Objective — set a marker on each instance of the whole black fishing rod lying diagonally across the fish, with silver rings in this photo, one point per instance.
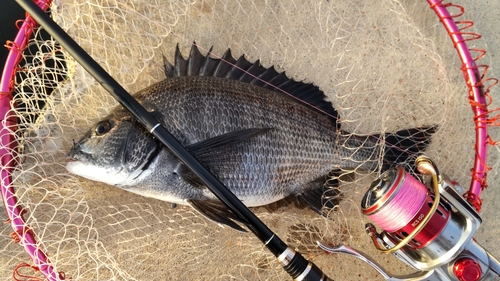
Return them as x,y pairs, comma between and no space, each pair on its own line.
293,262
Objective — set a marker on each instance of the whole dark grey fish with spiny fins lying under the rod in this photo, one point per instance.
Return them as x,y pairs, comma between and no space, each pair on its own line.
263,135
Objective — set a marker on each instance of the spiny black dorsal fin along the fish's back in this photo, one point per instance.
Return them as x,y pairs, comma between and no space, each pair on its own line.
244,71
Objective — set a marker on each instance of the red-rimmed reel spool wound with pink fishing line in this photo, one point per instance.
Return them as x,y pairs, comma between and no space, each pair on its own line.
398,203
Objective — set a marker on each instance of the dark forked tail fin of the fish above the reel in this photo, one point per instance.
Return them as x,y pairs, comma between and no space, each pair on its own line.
404,145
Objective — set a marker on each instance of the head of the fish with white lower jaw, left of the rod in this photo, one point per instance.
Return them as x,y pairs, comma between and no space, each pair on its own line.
116,150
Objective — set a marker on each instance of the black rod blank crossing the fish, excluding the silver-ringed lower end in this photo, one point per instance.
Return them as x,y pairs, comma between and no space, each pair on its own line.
151,124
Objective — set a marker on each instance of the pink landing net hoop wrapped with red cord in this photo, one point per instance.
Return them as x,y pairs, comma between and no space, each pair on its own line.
474,74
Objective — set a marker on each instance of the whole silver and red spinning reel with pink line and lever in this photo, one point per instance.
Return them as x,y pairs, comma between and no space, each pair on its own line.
431,230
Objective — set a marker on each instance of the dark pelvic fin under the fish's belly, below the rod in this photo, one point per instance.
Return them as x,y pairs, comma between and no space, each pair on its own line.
217,212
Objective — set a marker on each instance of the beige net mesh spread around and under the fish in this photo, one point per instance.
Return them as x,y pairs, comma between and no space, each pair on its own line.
385,65
